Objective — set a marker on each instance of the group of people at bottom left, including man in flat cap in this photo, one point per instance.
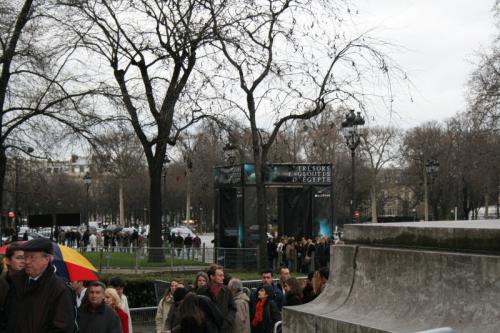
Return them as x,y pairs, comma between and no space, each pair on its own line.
33,299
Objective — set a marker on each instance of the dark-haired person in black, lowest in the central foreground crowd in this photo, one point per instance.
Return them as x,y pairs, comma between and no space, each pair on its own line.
198,314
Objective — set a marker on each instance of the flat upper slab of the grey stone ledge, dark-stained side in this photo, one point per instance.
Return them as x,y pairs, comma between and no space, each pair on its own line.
462,236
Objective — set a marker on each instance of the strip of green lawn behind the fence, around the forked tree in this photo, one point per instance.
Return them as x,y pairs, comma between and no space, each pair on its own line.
129,260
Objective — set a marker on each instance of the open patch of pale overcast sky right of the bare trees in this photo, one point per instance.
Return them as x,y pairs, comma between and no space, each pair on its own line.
439,39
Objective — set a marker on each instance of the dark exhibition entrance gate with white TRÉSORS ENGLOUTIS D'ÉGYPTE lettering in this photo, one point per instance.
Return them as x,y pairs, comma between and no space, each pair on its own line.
304,201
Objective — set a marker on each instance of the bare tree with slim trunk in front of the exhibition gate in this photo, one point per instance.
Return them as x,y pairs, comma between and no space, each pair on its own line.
289,60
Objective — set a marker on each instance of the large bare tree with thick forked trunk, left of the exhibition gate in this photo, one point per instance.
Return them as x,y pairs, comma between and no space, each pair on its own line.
151,48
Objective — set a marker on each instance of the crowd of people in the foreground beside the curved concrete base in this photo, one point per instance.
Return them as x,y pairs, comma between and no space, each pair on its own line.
216,302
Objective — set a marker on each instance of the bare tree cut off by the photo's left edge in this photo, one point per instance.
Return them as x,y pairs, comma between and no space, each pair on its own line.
37,91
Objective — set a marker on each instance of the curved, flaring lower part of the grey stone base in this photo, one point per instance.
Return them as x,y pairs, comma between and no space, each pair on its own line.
376,289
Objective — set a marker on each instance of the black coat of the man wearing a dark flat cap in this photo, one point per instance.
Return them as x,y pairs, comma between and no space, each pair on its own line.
44,306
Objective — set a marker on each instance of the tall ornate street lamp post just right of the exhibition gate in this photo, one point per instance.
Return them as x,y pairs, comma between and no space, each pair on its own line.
351,128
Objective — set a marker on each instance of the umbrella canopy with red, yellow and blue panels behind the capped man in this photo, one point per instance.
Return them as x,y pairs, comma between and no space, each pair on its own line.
70,265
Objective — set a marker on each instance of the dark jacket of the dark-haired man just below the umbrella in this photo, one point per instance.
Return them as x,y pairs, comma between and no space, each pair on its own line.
103,320
